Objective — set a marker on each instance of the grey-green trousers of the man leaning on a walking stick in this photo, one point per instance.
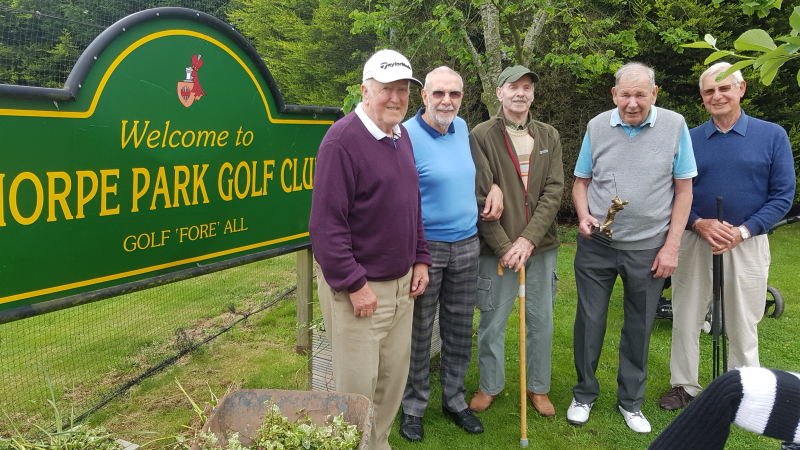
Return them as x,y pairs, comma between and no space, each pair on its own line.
496,298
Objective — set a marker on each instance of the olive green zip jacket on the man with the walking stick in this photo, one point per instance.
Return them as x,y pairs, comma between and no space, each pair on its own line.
534,216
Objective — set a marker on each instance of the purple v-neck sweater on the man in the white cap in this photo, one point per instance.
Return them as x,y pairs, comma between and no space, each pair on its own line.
366,219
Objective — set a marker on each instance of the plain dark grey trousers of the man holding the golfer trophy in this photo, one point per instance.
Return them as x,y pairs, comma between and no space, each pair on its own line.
596,271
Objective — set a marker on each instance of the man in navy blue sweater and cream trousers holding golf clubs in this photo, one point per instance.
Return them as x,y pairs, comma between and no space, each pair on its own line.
747,162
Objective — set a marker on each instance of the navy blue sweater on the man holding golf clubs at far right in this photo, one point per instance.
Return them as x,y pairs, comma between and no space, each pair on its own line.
750,167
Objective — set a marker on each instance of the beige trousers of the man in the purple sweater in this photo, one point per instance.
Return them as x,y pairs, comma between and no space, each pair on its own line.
371,354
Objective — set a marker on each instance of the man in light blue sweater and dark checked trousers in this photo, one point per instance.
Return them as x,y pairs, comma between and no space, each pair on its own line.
449,214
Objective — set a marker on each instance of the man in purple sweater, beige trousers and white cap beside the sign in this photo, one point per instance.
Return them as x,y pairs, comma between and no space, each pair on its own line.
367,235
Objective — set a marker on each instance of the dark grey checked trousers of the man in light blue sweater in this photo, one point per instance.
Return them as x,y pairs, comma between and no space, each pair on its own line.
453,281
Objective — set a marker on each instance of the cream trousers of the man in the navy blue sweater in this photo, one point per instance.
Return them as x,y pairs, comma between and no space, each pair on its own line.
745,272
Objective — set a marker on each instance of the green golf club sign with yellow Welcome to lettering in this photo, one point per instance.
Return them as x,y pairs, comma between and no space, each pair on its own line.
169,147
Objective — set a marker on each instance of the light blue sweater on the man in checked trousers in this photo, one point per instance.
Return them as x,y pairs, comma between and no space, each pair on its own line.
446,179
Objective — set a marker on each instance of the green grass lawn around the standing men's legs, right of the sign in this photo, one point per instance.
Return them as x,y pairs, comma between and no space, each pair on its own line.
606,429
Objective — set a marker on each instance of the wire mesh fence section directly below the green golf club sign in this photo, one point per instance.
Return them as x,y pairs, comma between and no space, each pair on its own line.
92,352
